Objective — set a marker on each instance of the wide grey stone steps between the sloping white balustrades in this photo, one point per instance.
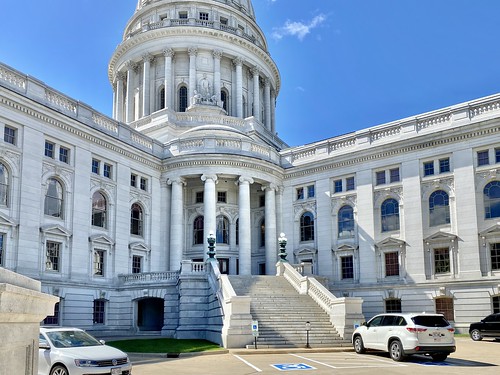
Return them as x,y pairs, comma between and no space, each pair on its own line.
282,314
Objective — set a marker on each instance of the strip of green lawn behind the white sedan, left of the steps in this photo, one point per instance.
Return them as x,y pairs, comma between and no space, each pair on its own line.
164,345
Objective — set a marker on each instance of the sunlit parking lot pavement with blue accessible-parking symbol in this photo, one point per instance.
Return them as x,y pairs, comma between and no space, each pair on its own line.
482,356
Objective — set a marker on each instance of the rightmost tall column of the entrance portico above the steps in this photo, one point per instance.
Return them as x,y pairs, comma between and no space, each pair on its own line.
271,233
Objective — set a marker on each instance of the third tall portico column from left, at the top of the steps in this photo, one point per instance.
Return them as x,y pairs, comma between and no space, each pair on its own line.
245,231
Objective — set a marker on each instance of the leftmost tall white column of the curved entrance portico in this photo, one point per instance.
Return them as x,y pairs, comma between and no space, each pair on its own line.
176,223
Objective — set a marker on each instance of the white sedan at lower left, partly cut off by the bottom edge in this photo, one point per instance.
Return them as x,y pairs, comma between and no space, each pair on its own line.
72,351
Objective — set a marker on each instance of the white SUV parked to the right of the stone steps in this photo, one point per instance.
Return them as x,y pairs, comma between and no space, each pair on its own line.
404,334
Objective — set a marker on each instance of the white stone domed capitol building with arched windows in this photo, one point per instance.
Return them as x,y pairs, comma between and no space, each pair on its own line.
113,215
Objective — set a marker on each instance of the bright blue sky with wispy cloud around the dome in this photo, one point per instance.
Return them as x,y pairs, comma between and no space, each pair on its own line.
345,64
